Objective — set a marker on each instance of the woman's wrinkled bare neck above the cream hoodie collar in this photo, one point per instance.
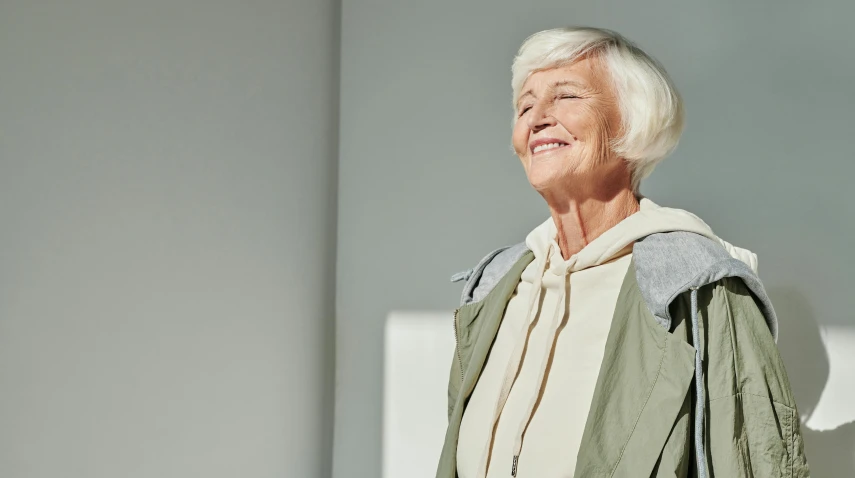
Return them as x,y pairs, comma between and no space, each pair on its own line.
581,219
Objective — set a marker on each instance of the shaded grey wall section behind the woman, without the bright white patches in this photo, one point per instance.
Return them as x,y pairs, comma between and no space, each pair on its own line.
428,184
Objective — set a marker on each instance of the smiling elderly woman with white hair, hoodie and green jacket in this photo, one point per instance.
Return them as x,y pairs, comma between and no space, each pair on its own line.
622,338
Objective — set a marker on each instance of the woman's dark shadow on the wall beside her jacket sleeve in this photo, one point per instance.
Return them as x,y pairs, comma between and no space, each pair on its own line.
830,453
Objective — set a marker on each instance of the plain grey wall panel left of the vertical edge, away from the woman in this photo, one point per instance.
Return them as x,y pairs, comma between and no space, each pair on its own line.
167,200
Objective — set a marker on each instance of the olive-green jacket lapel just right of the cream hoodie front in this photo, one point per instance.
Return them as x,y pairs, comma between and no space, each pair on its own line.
642,384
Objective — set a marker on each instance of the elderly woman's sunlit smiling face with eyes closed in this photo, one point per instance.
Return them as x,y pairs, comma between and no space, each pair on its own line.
565,119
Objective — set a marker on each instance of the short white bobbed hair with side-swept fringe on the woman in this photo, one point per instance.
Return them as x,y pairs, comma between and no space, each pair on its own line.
650,106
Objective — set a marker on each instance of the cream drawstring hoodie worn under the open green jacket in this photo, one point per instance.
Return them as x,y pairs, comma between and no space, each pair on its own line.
527,412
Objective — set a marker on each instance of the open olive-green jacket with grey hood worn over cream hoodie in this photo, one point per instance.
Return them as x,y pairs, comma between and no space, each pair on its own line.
642,417
